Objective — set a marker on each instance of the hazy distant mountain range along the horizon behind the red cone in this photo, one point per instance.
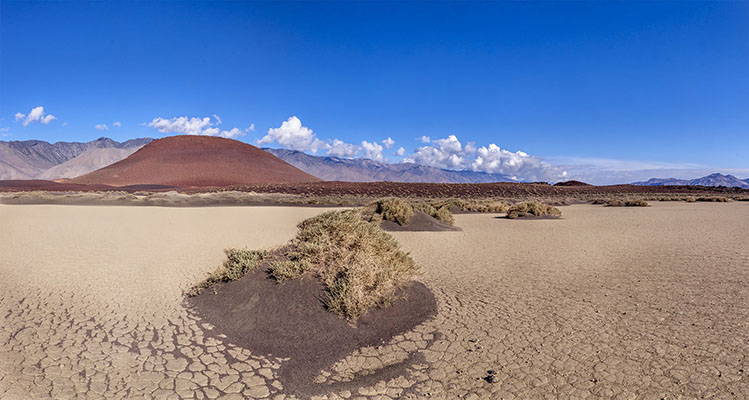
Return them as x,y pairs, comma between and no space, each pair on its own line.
36,159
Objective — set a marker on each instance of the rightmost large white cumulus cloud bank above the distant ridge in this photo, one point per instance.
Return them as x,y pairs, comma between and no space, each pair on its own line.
450,153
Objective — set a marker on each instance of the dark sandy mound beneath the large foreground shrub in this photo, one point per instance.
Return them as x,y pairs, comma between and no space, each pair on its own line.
289,320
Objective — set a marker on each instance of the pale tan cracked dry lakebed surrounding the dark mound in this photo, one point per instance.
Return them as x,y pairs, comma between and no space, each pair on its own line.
618,303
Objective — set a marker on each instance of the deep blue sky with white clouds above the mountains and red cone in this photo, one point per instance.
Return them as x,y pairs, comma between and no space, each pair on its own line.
606,91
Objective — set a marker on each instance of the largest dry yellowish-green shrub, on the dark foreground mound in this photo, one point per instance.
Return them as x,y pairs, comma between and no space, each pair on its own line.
360,265
